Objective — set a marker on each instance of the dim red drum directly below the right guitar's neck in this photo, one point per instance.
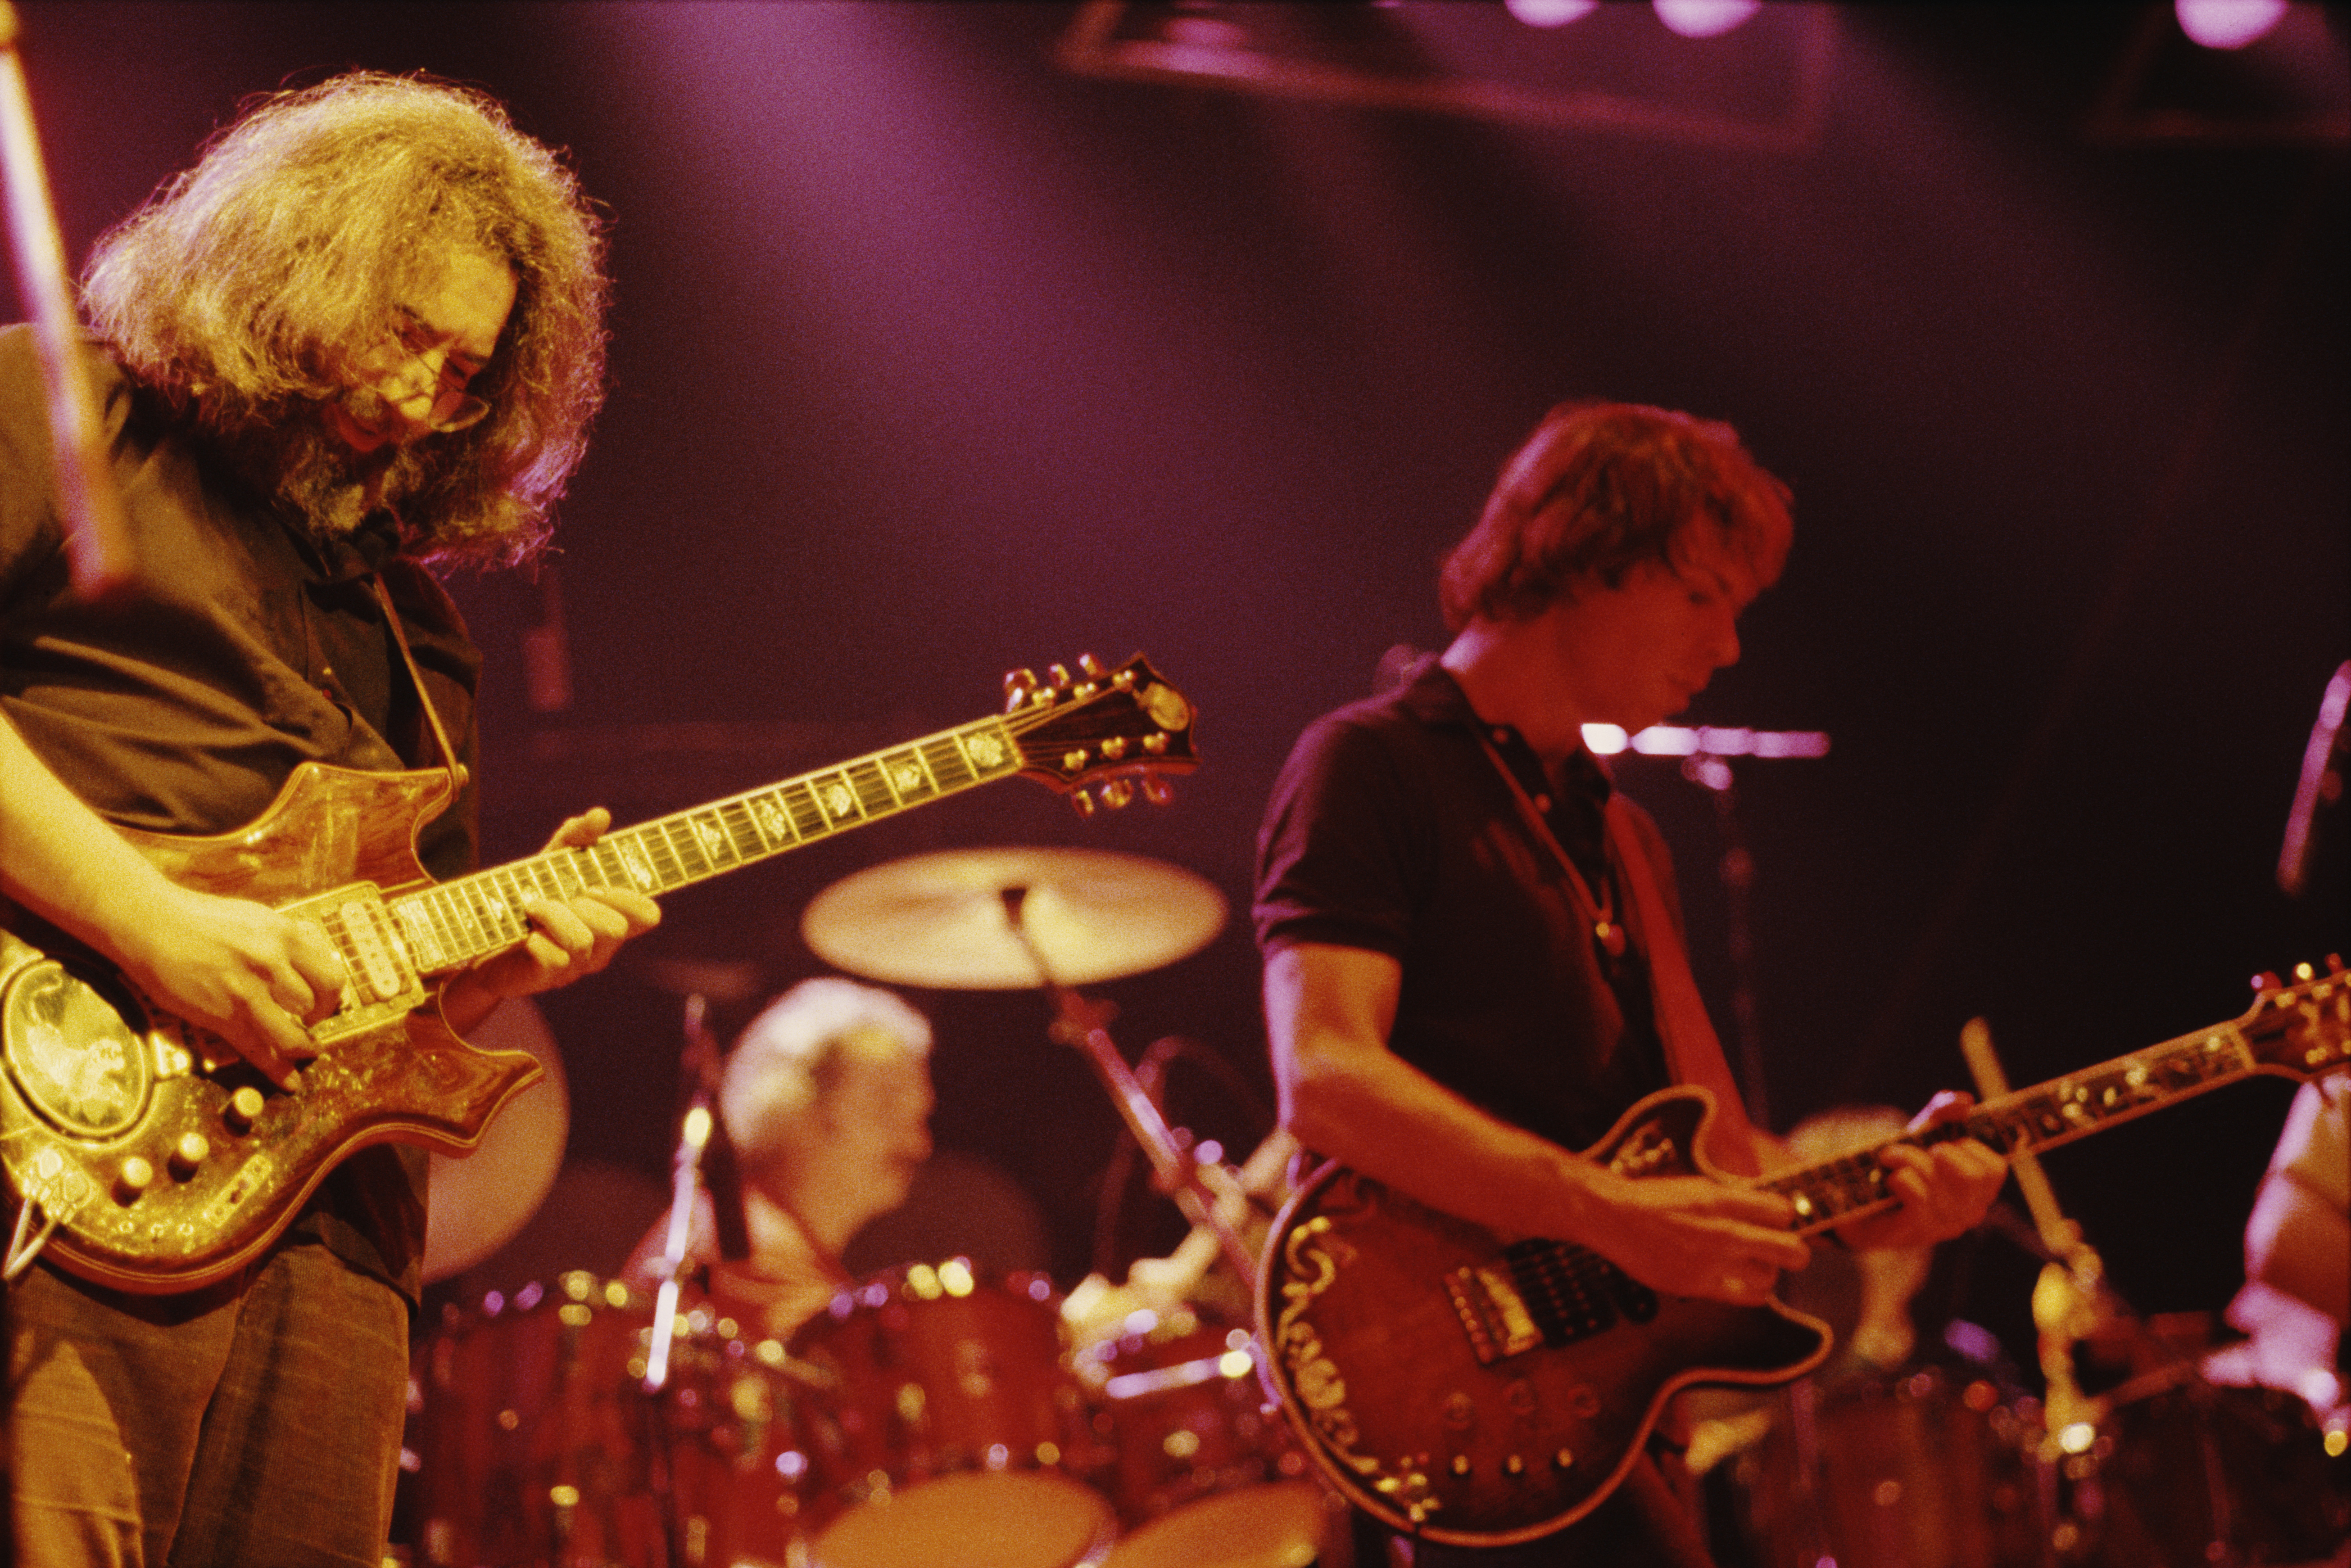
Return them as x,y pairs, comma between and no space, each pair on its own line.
1927,1468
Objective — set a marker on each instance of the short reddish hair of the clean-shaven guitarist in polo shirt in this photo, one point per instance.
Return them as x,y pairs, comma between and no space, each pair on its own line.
1602,488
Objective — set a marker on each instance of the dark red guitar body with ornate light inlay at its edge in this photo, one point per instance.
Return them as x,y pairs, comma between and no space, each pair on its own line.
1475,1393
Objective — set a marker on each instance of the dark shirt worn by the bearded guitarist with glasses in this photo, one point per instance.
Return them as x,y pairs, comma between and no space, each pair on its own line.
239,652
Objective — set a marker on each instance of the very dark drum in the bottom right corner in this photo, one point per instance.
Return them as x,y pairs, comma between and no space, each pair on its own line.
2206,1475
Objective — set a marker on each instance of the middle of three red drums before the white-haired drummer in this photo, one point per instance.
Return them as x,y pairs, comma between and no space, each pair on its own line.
944,1428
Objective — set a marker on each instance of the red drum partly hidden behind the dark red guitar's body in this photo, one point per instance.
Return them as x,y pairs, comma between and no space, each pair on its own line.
1203,1475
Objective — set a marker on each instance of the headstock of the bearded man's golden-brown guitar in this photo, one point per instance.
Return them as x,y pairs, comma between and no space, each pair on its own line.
1101,737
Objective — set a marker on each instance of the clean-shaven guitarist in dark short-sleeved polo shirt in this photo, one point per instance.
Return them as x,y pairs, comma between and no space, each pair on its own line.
1473,951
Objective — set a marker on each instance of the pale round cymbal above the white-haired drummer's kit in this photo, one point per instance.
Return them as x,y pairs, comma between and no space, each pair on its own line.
942,920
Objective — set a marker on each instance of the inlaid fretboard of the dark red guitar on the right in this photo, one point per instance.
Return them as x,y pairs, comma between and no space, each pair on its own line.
2030,1120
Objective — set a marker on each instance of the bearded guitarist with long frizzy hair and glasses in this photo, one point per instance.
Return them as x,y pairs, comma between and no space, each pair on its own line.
359,342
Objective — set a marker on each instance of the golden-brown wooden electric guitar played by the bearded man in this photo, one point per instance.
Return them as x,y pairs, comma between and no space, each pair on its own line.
166,1162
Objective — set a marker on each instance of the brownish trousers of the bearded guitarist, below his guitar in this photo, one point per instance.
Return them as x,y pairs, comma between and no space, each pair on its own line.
246,1426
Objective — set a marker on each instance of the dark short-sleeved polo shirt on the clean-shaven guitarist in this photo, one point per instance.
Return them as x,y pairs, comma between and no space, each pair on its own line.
1393,831
